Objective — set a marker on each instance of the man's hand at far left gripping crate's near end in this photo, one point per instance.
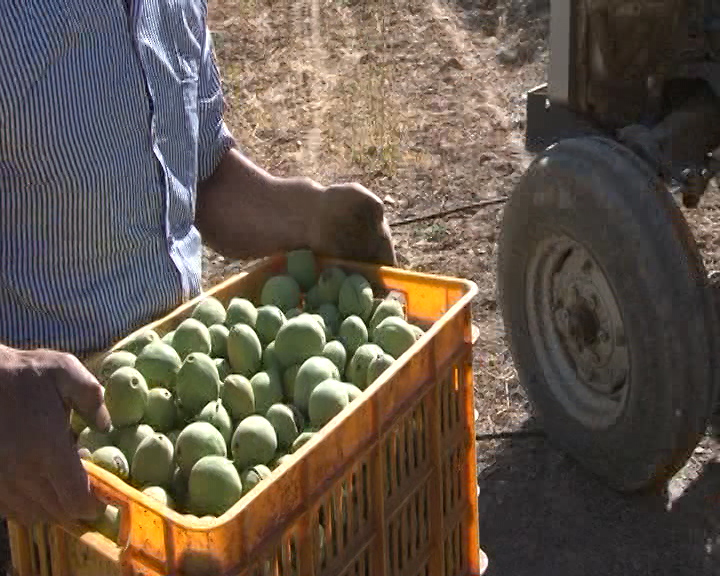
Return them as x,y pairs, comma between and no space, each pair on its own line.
41,475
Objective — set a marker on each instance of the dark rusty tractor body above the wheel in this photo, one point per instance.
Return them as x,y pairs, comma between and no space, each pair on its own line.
637,66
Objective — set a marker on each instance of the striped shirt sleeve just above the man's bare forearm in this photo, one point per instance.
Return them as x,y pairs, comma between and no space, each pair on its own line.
214,138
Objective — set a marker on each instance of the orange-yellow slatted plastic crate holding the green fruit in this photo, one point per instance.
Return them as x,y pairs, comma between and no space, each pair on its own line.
388,488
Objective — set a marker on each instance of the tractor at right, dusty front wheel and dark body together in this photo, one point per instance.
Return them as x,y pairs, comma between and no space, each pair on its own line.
609,311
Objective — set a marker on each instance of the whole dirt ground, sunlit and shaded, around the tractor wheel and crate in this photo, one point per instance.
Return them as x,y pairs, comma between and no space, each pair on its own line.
422,102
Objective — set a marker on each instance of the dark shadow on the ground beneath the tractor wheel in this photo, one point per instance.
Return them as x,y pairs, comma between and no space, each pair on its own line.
541,515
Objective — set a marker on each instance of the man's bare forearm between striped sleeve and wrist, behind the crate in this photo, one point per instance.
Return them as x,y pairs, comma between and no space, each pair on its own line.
244,212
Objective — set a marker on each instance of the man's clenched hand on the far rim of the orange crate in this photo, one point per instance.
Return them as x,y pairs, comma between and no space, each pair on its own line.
350,224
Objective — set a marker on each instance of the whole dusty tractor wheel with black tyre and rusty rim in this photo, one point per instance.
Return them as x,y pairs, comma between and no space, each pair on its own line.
608,312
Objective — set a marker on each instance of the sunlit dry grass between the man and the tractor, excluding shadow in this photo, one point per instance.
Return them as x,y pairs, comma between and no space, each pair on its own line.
406,97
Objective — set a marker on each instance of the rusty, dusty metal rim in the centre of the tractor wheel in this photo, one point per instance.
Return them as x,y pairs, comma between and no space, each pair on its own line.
577,332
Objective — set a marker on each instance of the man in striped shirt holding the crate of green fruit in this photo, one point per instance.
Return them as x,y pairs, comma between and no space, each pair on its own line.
114,162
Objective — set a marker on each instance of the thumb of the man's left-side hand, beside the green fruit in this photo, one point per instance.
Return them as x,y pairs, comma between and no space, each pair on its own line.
81,390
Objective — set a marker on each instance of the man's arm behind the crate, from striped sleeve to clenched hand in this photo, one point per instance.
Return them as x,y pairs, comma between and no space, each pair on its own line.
244,212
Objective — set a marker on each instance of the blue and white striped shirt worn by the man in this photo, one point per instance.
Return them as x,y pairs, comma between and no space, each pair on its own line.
110,115
